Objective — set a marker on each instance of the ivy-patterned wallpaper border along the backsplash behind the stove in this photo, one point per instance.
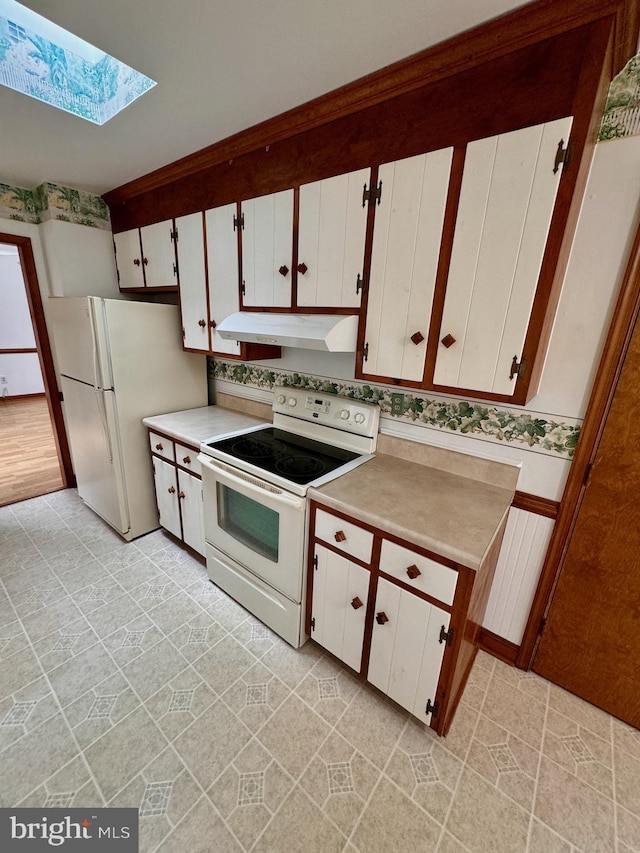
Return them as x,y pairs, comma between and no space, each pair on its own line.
472,419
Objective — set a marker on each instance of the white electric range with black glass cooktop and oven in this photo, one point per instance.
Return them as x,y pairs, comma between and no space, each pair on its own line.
255,507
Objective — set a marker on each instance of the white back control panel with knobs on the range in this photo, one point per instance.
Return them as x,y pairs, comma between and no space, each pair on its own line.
330,410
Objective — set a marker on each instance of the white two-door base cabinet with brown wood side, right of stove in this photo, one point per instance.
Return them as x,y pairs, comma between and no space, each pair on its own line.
403,618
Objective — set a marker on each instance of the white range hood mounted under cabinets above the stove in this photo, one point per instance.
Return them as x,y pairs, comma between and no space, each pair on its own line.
326,332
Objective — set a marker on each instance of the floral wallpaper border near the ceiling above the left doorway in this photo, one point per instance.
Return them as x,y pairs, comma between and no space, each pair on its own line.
53,201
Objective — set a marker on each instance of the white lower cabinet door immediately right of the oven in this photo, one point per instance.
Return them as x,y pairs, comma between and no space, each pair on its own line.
340,592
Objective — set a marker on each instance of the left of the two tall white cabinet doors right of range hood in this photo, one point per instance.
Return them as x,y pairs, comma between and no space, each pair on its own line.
404,261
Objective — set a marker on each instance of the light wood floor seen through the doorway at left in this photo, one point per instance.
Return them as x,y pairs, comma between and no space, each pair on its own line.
29,464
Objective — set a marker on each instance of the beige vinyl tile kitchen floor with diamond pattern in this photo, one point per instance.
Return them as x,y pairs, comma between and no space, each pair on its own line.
128,679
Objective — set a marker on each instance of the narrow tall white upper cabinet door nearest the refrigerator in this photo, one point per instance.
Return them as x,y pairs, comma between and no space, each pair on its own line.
193,284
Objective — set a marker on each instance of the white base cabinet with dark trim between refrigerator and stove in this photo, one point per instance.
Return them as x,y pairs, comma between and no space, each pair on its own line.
178,484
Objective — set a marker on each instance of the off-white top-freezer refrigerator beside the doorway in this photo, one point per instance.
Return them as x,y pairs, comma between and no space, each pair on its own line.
120,361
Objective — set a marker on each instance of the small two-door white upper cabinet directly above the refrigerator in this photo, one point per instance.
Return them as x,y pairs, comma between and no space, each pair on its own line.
146,257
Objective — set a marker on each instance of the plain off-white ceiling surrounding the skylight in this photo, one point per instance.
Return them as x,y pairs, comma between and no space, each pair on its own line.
221,67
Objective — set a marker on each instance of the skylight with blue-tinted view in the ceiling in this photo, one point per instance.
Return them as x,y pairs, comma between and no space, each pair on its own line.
48,63
